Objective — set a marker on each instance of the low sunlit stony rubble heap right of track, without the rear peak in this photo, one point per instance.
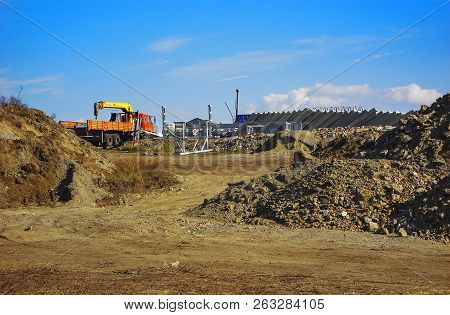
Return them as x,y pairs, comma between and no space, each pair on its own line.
343,194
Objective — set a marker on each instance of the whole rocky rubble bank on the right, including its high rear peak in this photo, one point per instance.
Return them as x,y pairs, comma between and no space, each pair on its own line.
402,189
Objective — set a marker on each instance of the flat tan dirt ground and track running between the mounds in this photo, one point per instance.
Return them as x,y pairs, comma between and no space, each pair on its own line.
150,246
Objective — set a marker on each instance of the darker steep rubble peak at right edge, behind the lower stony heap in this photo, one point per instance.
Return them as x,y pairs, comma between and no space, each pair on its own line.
423,136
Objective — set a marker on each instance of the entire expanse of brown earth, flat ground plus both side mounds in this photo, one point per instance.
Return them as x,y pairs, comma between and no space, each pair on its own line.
289,222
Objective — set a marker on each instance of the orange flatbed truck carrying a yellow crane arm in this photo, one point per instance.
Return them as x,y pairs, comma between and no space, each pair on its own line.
123,126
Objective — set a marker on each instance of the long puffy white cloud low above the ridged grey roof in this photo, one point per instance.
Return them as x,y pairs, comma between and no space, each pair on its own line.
348,95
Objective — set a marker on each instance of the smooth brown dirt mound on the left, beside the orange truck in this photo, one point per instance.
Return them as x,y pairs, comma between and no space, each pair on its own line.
41,163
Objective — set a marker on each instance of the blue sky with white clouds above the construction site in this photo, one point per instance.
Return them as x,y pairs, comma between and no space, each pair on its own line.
187,54
